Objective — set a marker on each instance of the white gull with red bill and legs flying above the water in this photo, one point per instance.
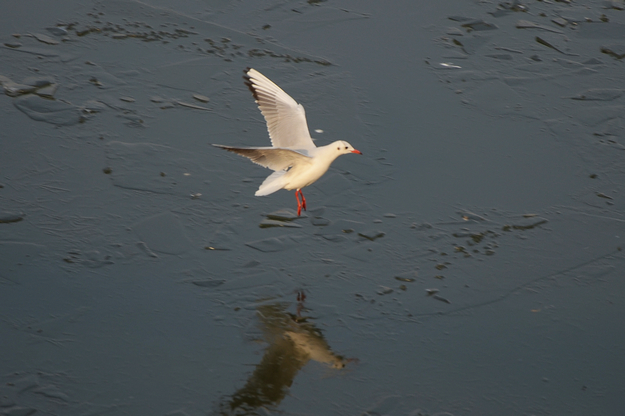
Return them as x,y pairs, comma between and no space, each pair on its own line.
293,156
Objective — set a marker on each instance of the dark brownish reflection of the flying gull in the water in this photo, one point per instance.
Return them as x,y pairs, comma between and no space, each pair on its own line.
293,342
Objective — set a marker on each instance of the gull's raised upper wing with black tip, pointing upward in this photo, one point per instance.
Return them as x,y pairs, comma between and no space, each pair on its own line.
286,119
